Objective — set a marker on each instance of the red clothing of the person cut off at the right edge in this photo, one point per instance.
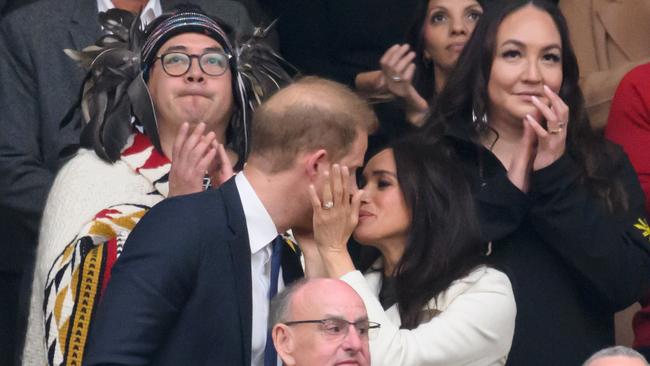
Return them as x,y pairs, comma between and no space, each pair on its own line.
629,126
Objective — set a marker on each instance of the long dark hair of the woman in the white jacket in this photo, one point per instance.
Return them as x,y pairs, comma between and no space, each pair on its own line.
444,239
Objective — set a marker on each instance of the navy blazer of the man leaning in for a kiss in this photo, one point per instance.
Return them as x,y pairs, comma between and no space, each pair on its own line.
180,294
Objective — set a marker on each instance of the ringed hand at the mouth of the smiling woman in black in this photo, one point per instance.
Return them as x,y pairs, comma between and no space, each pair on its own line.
551,142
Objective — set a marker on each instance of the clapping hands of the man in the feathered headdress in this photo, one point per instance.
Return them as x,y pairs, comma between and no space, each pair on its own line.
193,157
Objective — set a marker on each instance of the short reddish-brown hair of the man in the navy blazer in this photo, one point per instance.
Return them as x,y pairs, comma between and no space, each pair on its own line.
308,115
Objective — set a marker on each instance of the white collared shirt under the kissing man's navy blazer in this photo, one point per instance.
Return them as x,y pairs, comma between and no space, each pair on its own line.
261,232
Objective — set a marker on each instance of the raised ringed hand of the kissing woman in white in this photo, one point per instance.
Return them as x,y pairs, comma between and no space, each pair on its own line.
336,215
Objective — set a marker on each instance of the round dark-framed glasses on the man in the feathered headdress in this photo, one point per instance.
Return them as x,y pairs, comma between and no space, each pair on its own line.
179,63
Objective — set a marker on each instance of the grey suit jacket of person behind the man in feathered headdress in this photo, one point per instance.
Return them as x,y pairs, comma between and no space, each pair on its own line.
39,86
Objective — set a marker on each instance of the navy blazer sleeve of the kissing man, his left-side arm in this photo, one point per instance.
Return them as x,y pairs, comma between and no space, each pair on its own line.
149,285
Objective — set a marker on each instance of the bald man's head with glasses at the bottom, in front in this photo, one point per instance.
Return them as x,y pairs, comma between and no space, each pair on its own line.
321,322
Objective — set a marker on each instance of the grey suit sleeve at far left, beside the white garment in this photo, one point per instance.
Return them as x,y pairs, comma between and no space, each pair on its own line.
24,179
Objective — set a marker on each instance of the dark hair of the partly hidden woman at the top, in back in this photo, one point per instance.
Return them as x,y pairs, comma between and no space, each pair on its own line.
424,79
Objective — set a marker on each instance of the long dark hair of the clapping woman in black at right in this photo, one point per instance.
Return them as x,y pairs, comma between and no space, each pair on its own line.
466,91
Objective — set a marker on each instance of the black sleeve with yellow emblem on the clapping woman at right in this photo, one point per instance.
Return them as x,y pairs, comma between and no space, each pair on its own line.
607,251
